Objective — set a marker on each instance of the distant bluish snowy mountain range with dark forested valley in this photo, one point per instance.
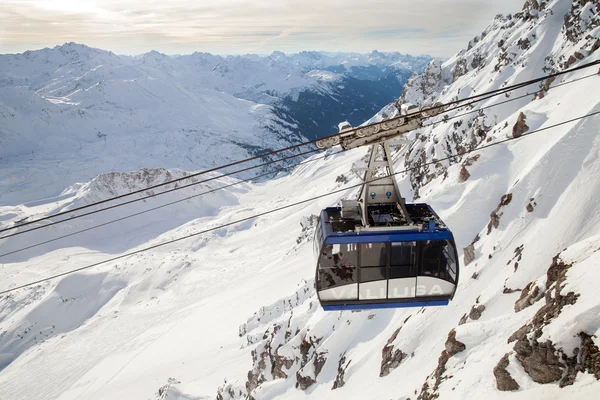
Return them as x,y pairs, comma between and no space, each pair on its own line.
69,112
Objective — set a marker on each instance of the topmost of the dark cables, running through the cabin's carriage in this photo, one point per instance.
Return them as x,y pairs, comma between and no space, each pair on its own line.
472,99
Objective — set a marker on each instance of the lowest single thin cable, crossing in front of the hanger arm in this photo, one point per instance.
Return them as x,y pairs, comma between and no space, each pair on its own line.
288,206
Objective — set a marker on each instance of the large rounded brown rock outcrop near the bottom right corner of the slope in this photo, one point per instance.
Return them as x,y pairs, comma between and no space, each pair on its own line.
539,360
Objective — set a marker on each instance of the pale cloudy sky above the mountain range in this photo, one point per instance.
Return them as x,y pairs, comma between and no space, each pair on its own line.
435,27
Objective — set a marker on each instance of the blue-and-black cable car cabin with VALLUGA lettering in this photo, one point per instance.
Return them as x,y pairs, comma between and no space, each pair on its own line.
387,265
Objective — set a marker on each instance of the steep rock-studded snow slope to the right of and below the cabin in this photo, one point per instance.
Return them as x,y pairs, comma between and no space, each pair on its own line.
525,318
